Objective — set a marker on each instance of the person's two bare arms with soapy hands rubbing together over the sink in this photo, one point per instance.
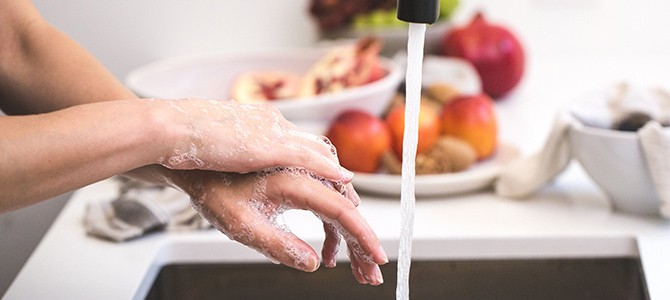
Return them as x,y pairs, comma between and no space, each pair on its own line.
68,130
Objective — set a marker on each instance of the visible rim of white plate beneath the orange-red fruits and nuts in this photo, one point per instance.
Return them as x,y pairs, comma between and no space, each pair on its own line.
478,177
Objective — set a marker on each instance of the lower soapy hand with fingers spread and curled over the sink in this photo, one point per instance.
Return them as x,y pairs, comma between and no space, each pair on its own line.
245,208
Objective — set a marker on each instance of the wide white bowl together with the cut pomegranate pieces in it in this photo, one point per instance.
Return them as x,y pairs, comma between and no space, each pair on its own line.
219,76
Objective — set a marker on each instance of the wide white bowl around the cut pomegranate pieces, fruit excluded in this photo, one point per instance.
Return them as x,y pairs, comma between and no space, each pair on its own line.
210,77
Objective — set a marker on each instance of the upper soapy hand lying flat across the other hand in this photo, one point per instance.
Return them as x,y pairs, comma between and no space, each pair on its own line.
232,137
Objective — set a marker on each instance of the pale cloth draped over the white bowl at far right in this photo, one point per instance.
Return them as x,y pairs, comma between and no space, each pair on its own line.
603,109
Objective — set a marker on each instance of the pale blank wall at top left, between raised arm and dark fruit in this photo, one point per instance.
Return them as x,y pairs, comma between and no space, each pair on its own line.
126,33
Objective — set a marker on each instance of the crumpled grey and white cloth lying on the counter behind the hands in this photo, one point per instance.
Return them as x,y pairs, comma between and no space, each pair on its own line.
140,209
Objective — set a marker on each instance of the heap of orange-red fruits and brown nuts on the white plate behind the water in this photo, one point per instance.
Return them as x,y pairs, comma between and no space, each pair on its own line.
360,140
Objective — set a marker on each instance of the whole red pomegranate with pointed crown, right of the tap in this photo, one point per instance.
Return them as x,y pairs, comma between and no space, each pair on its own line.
494,51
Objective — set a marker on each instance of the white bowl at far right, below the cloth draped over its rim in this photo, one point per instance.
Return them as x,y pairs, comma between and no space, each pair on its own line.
614,160
